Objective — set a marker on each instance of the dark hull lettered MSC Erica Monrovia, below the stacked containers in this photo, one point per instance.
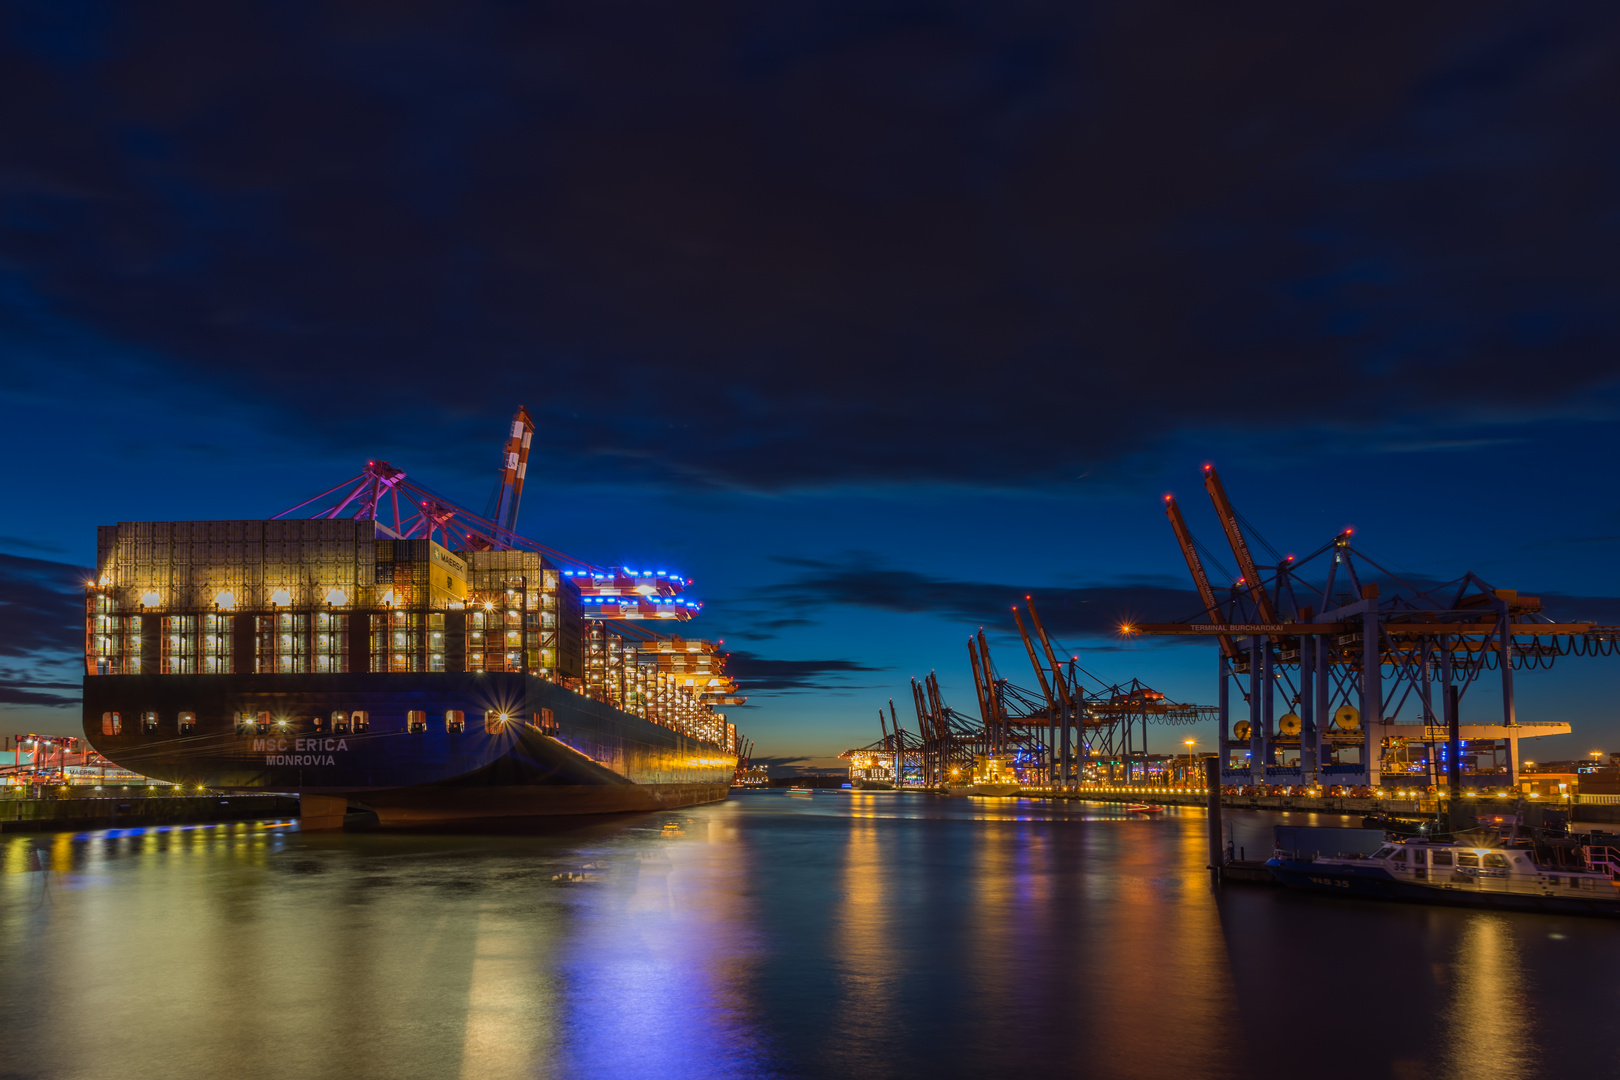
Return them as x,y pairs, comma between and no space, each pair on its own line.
555,754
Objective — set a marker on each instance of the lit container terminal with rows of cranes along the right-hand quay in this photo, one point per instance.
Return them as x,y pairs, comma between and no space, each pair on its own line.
1337,679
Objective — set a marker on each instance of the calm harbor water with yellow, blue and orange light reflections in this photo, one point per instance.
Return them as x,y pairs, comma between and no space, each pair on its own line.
830,935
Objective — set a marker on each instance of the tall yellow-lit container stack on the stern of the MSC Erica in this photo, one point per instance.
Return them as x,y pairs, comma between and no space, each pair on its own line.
218,598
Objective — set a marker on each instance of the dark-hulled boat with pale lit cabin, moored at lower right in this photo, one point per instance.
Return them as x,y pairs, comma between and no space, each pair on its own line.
1490,867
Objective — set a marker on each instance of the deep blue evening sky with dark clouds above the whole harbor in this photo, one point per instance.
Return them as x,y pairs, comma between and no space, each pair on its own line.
871,318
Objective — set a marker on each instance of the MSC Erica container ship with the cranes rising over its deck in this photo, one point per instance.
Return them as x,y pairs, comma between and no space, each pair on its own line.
393,652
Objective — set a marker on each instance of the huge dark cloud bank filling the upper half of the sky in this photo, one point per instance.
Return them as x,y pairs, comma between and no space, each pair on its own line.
777,245
